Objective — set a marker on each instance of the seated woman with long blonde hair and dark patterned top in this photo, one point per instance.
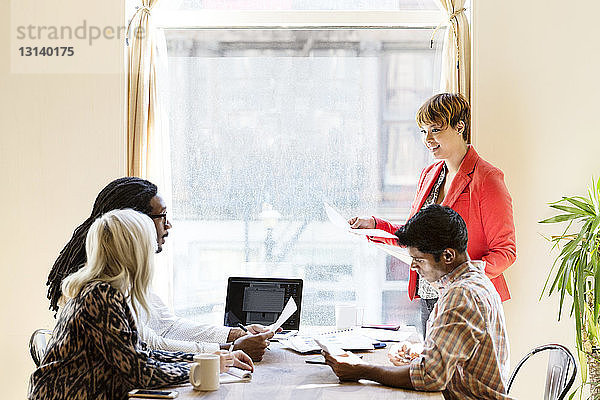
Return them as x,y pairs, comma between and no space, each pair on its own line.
95,351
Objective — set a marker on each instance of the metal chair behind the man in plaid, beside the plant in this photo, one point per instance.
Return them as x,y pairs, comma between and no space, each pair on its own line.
560,374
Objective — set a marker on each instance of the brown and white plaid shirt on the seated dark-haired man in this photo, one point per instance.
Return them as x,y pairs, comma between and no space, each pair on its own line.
466,349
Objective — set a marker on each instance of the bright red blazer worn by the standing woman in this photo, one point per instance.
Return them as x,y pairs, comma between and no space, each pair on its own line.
479,195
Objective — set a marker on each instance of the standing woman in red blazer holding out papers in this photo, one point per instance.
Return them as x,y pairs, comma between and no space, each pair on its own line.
465,182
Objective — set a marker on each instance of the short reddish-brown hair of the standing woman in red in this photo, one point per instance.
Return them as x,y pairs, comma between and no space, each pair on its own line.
446,109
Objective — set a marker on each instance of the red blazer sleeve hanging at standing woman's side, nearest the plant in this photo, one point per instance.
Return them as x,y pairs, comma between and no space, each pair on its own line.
498,224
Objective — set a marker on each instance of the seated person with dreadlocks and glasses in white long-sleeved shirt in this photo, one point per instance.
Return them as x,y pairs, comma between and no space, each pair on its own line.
163,330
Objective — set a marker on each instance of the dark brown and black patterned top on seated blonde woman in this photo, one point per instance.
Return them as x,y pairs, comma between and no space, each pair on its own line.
95,352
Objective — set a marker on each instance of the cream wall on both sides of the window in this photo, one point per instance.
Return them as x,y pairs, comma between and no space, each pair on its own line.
535,110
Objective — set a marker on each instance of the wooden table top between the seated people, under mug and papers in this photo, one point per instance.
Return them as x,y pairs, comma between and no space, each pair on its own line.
284,374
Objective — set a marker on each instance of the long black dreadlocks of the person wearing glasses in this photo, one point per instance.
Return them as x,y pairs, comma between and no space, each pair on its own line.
129,192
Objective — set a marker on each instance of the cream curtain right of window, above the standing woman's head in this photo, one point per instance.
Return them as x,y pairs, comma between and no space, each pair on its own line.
456,61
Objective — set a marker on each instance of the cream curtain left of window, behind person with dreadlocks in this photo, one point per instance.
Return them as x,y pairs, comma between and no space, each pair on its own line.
148,147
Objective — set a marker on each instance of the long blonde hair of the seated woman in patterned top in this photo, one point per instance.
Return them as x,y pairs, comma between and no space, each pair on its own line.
120,247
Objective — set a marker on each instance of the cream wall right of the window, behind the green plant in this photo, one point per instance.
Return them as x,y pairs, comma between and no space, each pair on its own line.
536,113
